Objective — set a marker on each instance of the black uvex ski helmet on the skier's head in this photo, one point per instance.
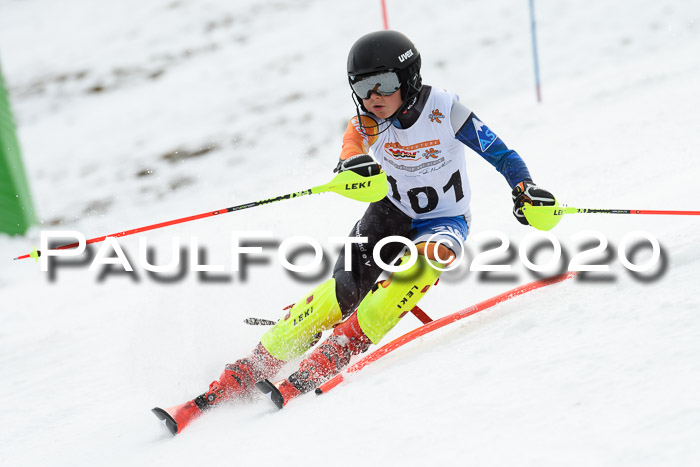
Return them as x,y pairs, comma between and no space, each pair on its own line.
386,51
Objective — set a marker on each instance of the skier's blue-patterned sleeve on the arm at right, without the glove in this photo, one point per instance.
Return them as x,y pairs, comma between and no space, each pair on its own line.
473,133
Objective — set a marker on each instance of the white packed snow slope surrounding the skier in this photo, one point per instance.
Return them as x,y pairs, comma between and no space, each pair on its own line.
131,113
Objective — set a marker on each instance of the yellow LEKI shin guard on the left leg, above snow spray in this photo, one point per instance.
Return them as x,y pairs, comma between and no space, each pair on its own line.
294,334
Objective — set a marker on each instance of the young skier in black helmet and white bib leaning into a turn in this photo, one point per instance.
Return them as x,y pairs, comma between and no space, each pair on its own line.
416,134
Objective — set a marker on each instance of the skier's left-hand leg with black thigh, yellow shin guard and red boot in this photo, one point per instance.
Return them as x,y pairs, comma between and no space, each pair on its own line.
323,307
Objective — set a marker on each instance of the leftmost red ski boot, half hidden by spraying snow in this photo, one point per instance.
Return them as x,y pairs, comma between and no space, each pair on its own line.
236,382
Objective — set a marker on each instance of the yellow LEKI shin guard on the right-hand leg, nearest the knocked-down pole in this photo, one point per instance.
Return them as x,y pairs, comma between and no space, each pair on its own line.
382,308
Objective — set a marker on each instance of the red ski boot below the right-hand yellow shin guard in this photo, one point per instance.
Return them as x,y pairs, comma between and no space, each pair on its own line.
324,362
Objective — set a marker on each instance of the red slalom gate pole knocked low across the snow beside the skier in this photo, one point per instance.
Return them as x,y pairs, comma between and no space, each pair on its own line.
437,324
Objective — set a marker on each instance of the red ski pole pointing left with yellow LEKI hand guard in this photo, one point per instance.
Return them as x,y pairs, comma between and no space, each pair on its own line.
347,183
